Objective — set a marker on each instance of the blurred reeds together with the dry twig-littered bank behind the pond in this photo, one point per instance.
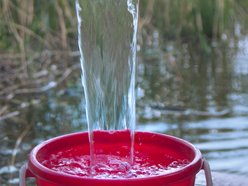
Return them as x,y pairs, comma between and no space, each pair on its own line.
38,40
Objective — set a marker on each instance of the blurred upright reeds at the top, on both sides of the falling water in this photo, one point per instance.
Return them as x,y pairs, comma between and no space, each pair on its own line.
29,25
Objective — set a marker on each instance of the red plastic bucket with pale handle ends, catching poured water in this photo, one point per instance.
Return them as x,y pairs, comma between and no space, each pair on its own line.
155,145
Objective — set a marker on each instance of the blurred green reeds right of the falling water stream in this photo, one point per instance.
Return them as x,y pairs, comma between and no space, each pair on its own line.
194,21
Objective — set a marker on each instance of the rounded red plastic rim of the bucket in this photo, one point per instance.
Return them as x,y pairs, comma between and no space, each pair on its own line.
42,172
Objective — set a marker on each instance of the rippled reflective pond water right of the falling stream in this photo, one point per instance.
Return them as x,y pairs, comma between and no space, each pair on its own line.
203,99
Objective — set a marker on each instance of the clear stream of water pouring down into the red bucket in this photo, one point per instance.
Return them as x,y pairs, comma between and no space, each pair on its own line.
107,32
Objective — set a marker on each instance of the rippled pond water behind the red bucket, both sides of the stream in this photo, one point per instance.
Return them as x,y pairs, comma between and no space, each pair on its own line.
202,98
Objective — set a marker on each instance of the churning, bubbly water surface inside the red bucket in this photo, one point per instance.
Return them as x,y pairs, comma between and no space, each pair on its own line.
111,166
